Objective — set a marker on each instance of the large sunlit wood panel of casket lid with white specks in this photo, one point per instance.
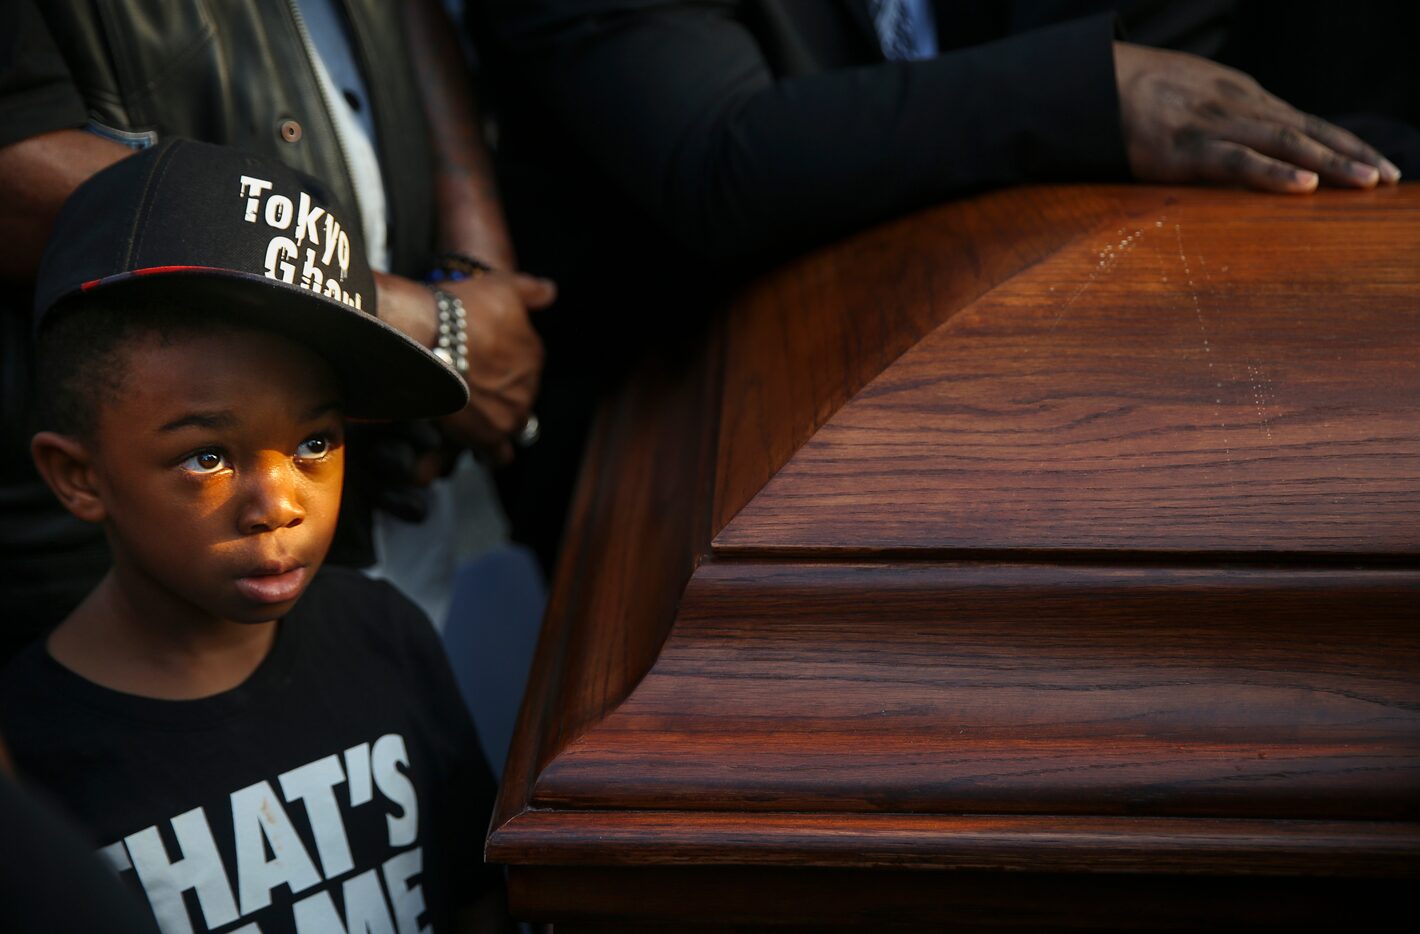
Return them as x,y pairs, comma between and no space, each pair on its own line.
1216,375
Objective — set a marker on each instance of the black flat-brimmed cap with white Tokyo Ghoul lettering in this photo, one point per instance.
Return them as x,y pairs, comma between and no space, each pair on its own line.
215,231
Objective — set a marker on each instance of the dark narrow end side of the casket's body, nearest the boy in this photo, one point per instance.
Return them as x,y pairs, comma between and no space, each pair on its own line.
638,529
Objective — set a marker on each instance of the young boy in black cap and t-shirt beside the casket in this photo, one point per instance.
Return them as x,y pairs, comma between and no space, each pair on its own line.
256,745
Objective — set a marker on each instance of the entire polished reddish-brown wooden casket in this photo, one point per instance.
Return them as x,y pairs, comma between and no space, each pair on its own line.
971,563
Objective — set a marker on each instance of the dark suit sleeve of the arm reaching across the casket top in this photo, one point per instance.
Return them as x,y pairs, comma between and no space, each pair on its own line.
677,104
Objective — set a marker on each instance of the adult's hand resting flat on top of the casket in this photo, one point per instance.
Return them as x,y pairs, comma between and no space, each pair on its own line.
1188,119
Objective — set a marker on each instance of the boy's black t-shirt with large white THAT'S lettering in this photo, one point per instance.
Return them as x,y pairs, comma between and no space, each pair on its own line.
337,789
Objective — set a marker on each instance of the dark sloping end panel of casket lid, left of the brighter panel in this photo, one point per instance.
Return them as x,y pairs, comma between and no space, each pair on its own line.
810,336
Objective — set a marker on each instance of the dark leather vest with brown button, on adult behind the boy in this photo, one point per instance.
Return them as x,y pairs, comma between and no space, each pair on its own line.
238,72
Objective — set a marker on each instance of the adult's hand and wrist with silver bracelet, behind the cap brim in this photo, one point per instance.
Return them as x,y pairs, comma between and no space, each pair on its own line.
505,353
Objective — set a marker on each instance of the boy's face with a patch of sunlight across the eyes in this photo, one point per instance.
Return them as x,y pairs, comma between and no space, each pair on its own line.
219,466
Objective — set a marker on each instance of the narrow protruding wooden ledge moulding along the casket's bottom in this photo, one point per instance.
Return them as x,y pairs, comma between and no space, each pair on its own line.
1137,847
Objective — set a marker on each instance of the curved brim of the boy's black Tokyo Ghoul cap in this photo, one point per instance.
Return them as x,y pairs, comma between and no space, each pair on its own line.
384,373
